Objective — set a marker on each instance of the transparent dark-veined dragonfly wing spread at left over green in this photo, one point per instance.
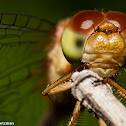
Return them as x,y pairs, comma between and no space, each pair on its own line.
22,61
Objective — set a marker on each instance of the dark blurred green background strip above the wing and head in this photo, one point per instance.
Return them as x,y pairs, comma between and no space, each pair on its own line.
55,10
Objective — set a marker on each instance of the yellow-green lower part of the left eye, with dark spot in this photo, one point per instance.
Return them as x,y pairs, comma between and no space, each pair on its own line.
72,45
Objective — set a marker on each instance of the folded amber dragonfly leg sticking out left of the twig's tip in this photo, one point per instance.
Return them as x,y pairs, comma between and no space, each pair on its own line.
60,85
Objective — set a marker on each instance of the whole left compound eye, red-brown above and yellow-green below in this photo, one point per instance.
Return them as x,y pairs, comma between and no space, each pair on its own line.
77,31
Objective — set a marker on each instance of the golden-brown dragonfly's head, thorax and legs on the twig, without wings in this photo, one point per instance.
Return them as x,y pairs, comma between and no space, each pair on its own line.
89,40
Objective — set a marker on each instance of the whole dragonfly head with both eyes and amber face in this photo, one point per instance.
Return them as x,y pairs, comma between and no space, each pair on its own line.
97,39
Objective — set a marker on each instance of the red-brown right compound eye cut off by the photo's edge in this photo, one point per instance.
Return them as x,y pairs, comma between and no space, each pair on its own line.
118,19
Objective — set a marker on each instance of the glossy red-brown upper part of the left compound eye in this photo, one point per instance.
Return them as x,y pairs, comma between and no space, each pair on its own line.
84,21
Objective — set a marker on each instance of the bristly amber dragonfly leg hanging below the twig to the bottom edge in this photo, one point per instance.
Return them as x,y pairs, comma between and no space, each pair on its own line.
76,113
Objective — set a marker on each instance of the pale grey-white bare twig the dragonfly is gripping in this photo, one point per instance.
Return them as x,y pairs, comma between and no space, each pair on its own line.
98,97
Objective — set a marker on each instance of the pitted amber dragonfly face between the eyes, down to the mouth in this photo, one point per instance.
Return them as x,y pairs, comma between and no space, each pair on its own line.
105,50
